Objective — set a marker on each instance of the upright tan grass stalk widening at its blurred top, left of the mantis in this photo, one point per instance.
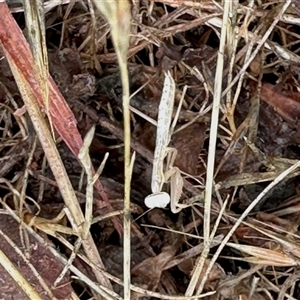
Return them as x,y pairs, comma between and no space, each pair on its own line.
118,15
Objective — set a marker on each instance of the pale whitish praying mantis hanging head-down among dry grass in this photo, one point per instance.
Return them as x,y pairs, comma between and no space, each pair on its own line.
158,198
